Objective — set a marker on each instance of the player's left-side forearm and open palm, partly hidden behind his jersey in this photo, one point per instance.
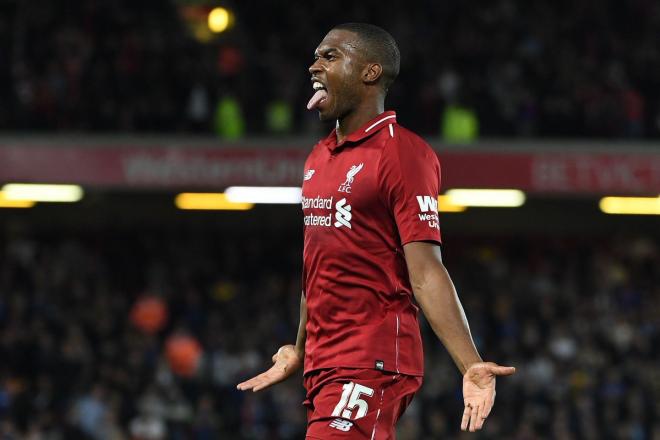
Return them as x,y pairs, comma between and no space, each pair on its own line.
287,360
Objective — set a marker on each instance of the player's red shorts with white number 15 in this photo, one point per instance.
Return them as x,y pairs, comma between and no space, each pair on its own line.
353,403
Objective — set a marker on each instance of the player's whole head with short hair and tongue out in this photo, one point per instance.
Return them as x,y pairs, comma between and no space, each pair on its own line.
354,62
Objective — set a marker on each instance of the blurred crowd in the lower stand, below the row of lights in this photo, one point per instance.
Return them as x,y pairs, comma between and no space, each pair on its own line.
577,317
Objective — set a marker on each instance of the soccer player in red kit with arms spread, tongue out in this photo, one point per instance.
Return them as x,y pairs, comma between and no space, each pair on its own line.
371,253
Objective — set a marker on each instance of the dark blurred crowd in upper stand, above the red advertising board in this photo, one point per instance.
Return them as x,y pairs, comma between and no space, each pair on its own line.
522,68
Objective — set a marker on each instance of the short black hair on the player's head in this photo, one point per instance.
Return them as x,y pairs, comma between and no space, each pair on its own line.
379,44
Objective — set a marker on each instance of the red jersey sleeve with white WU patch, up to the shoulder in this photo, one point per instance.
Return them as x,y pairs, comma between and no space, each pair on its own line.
410,181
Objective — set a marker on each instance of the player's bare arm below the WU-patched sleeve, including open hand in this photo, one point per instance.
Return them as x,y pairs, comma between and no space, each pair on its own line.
436,295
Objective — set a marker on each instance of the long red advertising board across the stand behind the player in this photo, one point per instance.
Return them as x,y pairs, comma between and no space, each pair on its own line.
179,167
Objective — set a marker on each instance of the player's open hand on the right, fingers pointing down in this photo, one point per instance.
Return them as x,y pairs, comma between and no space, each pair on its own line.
479,392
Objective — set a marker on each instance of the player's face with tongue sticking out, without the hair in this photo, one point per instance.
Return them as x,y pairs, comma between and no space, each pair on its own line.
337,69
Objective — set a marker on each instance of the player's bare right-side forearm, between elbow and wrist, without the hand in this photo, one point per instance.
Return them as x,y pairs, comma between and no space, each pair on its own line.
436,295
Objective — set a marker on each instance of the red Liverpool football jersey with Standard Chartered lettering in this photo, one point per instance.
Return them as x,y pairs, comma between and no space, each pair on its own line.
363,200
